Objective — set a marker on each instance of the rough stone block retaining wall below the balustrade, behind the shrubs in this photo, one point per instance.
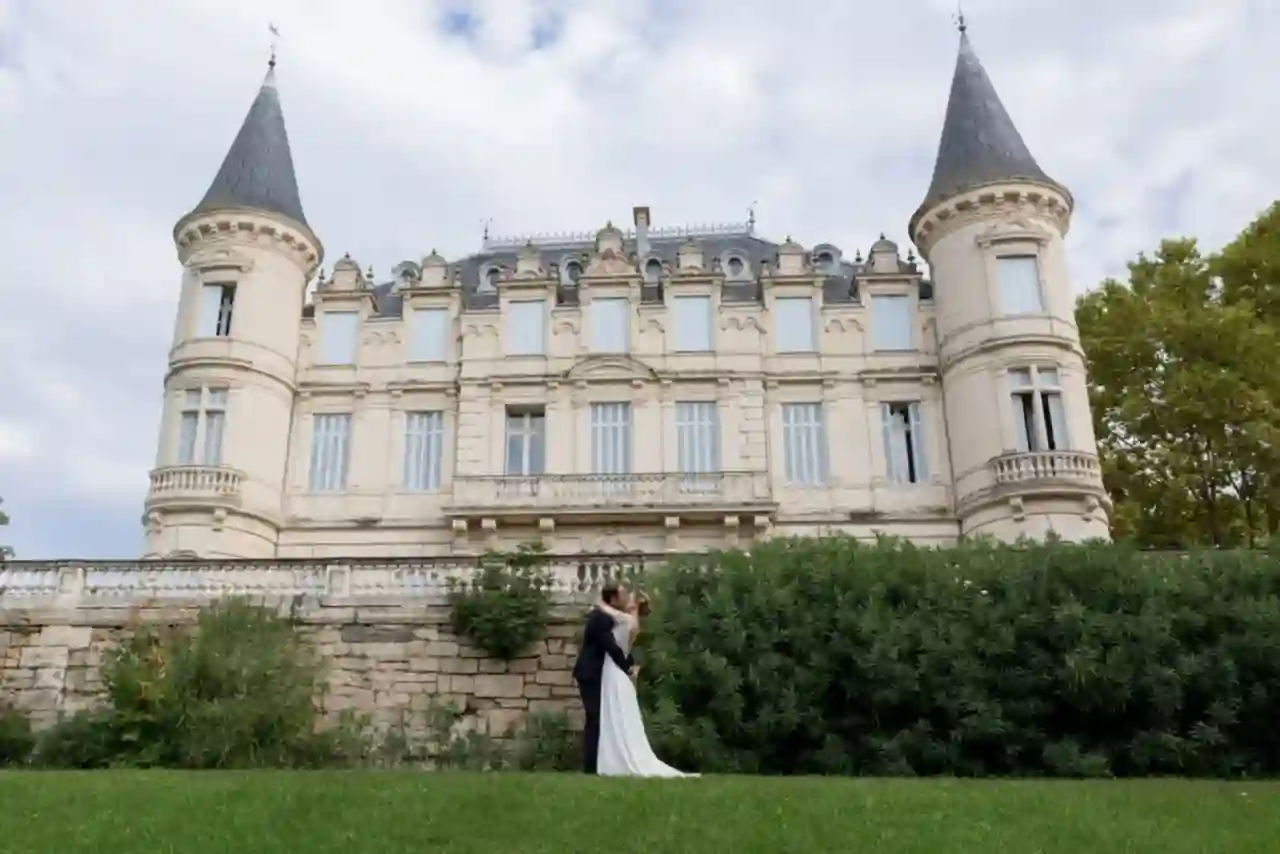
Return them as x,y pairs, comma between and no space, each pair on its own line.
390,660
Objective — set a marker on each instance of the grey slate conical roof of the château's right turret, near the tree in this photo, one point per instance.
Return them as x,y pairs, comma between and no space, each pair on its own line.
980,143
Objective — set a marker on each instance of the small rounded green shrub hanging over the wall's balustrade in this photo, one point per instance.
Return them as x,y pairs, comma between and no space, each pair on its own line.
504,608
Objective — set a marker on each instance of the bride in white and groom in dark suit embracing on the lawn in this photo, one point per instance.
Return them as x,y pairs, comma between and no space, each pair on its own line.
614,741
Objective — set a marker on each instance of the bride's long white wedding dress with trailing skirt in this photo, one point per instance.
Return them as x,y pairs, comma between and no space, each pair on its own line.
625,751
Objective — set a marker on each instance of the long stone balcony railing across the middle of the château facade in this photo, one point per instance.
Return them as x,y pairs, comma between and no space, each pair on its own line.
582,492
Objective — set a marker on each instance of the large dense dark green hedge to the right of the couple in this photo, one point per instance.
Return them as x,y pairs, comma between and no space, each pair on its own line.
826,656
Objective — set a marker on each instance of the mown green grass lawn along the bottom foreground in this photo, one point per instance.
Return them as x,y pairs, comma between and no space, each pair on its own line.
394,814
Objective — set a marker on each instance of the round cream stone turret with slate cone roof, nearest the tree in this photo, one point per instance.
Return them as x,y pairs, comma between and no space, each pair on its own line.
993,227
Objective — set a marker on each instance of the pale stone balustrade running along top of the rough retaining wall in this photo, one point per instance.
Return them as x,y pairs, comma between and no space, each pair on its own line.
34,583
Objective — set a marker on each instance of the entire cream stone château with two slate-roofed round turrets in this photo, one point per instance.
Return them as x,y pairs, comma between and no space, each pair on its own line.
664,389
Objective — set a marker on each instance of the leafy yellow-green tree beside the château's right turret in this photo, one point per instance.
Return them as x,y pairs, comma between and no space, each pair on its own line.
1185,394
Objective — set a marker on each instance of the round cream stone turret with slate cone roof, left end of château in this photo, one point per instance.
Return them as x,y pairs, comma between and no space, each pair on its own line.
248,255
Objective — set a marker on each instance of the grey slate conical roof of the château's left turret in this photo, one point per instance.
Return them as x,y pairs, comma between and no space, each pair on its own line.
258,172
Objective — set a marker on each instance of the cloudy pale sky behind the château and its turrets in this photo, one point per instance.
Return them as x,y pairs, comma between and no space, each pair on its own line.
413,121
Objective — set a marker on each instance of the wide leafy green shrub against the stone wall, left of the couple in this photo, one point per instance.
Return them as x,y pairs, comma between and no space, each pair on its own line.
239,691
